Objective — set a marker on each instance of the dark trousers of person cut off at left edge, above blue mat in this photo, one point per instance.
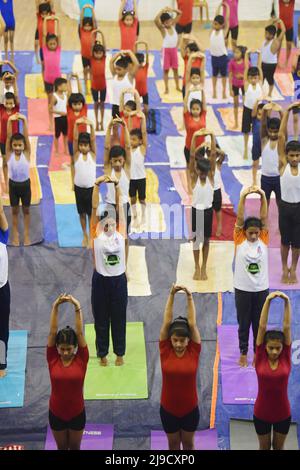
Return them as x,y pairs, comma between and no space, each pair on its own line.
4,324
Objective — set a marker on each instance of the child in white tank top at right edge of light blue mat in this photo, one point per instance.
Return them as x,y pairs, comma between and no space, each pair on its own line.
84,175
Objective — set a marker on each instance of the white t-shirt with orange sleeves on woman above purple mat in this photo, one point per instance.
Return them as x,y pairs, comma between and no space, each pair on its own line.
251,271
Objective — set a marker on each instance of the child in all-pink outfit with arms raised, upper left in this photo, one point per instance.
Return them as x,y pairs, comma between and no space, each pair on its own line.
51,54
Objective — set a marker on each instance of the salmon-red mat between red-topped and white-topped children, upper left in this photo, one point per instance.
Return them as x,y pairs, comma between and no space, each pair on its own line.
38,119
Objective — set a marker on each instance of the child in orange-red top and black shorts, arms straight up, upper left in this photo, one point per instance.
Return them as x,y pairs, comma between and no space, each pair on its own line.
98,79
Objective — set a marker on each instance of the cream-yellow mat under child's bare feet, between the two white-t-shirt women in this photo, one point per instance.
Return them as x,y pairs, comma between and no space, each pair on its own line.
219,268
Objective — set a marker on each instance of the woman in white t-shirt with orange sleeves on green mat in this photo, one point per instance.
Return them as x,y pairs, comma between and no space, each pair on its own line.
109,283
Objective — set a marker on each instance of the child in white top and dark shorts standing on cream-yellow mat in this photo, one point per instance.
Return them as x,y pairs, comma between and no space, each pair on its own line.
202,173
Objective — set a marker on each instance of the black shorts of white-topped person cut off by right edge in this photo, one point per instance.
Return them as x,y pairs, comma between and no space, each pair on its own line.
289,224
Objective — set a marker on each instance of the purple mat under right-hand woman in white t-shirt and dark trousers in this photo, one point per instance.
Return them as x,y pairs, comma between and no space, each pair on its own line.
239,384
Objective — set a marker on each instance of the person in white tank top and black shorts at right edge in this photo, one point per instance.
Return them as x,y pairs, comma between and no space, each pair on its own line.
289,209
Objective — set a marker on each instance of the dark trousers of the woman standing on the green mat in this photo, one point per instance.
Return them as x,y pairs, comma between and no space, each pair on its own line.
109,306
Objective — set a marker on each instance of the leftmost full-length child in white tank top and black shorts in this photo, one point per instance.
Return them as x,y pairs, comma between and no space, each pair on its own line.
18,151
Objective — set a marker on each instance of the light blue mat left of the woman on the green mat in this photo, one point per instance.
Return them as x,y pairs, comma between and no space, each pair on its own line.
68,226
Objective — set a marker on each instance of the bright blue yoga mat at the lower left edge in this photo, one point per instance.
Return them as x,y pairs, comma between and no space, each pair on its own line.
12,386
